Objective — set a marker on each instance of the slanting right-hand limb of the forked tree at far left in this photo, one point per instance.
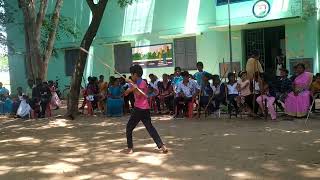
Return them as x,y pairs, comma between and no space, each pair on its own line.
53,31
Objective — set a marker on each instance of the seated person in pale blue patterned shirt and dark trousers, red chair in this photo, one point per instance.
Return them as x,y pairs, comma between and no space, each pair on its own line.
186,91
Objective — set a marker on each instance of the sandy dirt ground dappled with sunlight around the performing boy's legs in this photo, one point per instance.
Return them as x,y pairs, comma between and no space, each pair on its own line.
213,149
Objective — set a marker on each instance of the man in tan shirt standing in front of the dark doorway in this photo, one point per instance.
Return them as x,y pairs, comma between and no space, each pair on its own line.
253,65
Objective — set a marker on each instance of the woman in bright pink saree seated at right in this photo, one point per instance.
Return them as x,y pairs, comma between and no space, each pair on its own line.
297,103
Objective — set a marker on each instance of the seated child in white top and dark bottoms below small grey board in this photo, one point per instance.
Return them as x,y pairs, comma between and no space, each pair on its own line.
232,92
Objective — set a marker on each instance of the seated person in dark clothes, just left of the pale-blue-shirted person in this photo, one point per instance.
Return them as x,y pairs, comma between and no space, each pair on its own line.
166,93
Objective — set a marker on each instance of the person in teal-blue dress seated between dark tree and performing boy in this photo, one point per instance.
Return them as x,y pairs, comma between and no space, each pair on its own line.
115,100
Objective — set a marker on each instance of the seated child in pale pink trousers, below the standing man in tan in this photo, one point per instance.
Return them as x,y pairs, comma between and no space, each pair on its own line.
266,101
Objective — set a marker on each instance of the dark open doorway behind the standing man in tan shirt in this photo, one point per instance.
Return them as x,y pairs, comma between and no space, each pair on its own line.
270,42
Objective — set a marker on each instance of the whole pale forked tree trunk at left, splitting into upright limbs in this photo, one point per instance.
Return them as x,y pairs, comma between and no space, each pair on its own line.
38,61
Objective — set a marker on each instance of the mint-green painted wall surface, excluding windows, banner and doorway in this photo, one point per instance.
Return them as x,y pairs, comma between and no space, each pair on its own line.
163,18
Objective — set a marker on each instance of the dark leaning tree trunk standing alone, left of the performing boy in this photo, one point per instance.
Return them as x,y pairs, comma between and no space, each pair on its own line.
73,99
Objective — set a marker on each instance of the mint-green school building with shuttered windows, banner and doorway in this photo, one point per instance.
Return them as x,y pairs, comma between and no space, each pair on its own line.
162,34
